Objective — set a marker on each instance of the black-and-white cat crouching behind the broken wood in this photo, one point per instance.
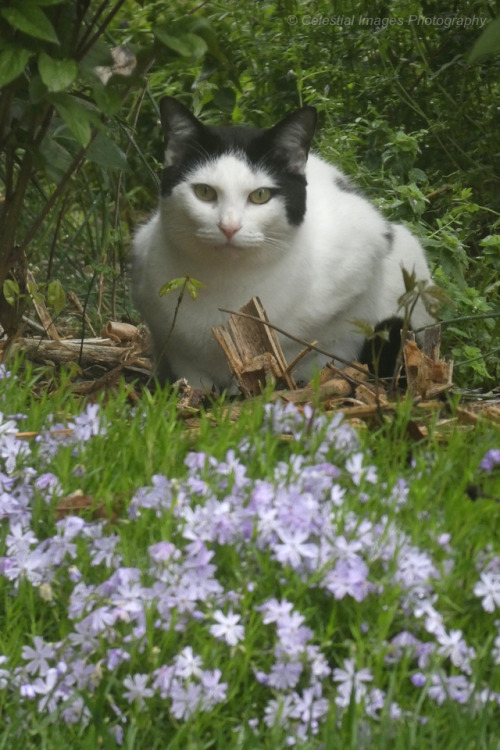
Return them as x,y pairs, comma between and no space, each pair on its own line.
248,211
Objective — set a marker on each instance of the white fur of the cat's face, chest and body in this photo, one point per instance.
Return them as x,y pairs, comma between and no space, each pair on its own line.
313,279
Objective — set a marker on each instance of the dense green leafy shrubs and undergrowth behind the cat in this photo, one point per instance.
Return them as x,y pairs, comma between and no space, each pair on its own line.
402,110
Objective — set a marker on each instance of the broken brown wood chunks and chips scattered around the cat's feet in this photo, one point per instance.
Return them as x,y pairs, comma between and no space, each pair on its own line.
255,357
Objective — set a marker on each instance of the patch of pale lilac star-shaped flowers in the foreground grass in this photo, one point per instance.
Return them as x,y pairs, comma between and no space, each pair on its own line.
312,523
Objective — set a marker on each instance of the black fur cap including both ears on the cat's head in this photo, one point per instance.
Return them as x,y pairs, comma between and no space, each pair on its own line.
281,150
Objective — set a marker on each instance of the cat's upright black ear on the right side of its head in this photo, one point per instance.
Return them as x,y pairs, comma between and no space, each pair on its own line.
292,136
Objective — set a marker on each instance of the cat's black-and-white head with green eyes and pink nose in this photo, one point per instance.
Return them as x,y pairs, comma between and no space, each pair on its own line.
234,187
